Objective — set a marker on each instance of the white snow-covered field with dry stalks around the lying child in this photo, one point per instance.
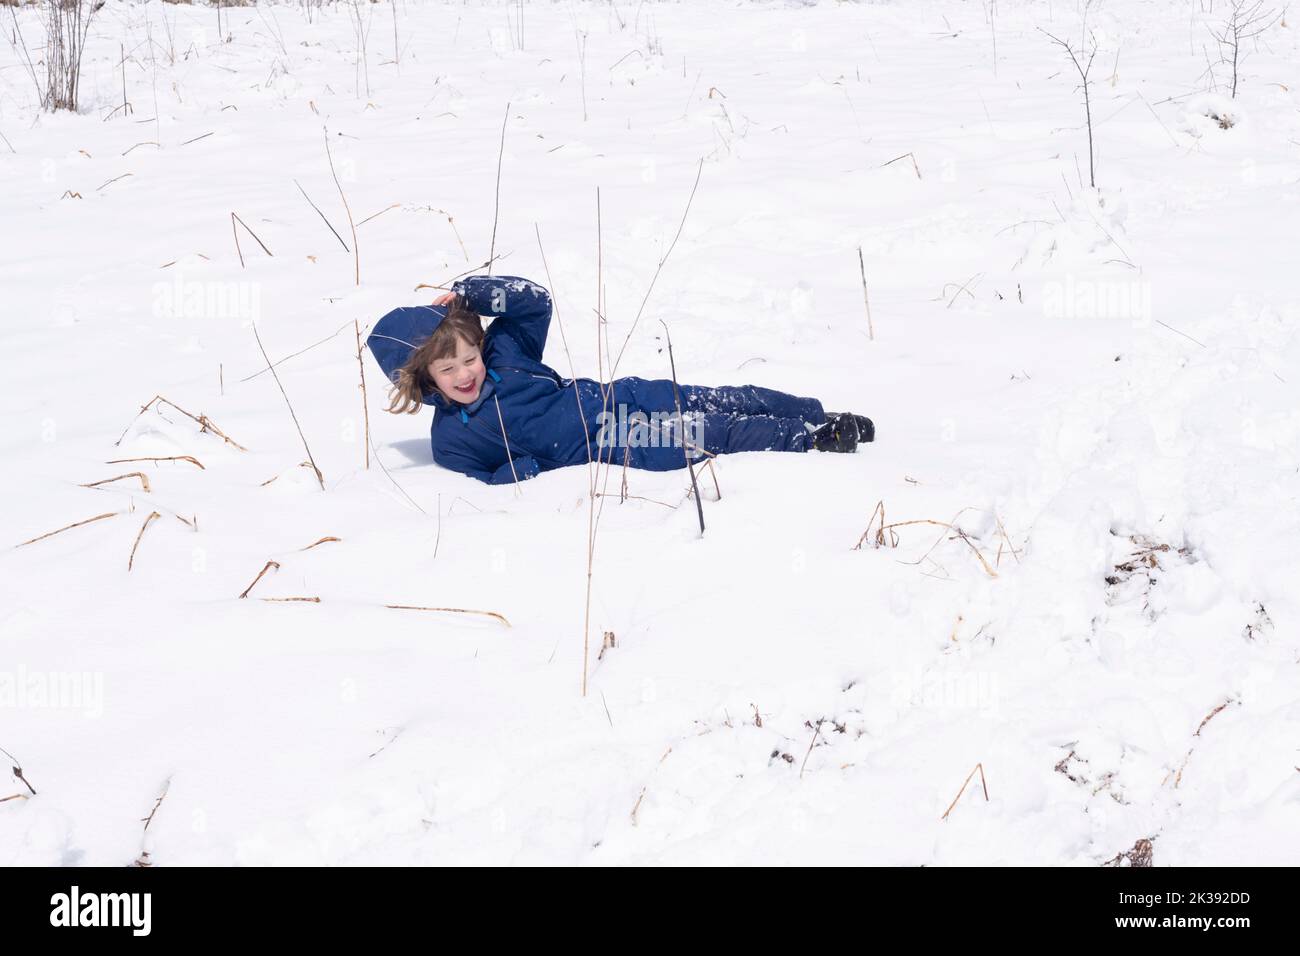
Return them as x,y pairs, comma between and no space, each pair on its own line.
1104,380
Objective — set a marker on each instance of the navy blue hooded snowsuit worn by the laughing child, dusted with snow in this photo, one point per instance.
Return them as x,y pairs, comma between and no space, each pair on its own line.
527,406
